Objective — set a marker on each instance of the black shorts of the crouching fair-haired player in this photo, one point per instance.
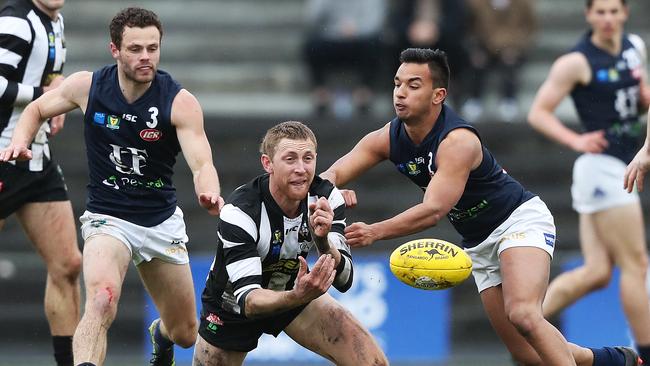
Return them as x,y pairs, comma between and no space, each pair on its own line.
232,333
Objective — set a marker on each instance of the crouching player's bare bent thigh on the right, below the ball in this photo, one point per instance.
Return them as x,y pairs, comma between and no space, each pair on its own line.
328,329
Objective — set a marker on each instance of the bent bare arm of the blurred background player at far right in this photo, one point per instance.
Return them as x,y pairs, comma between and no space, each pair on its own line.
567,72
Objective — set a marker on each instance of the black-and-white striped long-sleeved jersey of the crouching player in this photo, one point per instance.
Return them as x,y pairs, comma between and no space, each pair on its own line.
258,246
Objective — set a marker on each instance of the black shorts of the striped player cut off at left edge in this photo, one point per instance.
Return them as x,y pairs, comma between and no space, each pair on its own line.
19,187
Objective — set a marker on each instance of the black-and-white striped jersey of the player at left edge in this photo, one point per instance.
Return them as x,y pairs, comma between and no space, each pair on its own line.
32,53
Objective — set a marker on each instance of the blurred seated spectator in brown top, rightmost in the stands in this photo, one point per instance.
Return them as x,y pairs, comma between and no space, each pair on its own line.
501,32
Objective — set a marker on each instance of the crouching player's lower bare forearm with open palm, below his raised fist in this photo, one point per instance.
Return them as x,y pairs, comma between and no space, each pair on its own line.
309,286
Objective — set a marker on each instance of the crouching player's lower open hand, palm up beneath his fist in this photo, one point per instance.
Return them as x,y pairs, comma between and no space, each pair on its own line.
310,286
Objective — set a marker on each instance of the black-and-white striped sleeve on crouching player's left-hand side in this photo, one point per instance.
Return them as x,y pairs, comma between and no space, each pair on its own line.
238,233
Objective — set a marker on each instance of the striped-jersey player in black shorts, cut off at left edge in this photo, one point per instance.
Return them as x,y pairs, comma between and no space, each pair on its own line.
32,54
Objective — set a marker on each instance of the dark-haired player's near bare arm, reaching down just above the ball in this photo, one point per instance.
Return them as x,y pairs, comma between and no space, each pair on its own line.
458,154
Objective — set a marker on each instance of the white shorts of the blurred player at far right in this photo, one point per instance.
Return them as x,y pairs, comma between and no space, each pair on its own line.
598,184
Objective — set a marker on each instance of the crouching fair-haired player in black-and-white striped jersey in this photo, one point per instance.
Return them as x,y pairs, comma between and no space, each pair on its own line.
259,281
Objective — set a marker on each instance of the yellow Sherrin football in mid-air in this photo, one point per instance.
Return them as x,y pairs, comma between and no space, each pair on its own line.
430,264
